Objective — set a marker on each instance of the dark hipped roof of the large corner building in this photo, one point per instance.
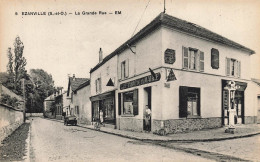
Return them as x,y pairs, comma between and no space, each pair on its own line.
174,23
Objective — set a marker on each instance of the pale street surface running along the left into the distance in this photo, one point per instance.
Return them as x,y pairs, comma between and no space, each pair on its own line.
52,141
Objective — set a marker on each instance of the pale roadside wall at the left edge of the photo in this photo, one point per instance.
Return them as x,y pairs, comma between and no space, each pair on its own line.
10,120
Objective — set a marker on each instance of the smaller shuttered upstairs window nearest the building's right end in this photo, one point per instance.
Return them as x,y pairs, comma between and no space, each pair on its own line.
233,67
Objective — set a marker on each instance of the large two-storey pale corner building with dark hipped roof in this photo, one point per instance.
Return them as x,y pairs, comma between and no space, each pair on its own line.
180,70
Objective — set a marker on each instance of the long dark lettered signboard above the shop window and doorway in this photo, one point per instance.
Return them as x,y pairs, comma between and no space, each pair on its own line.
141,81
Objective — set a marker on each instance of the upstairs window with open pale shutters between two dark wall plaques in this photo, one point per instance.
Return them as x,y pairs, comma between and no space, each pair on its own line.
193,59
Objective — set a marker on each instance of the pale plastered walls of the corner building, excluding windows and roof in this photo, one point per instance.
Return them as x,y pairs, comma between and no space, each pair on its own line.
165,101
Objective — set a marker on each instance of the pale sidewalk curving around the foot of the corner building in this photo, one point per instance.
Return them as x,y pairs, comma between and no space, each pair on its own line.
217,134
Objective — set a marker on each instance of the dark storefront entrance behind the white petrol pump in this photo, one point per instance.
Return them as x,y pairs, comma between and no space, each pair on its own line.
237,104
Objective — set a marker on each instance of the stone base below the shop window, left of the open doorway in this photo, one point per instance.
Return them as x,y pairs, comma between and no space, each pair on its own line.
130,124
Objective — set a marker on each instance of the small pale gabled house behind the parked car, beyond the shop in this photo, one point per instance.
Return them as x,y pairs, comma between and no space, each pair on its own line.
78,95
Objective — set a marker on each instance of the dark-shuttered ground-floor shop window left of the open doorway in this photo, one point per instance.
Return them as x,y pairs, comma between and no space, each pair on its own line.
128,103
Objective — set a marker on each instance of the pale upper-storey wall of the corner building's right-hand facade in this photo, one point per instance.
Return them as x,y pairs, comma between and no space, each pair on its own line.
175,40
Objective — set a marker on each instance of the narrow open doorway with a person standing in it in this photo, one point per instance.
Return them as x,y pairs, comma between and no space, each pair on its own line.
147,102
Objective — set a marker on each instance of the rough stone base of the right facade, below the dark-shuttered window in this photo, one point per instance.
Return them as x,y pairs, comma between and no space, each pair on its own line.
186,125
